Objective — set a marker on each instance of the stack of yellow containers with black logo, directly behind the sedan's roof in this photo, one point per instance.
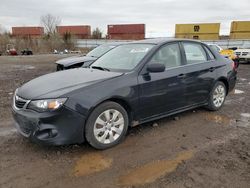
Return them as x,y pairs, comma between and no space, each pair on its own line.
201,31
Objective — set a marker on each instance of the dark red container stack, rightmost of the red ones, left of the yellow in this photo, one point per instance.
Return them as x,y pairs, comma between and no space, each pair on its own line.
126,32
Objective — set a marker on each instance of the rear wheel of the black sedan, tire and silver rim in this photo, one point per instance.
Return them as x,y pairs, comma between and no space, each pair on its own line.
215,102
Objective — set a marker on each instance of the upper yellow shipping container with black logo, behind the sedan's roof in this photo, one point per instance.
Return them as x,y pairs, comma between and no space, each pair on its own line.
208,28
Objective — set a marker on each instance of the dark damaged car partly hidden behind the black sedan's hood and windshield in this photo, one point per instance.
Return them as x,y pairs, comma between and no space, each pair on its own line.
79,61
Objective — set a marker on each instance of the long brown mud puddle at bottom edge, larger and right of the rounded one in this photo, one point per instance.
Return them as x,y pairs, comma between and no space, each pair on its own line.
152,171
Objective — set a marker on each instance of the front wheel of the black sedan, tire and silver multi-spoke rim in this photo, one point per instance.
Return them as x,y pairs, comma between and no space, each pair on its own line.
102,129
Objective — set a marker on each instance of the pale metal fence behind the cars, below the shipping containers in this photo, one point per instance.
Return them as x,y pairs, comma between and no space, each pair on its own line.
91,43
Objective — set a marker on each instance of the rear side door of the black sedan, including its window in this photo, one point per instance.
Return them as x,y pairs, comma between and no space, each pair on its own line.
200,72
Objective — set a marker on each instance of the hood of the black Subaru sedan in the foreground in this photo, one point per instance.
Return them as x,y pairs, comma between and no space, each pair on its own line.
56,84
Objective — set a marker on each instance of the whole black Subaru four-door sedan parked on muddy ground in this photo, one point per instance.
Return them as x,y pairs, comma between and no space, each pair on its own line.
132,84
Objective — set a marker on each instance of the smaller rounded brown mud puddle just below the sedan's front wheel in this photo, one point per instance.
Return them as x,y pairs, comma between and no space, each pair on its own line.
91,163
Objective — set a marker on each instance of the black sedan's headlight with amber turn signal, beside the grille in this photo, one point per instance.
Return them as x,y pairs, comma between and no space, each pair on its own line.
46,104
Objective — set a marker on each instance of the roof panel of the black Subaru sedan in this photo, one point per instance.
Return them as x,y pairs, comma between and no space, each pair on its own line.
162,40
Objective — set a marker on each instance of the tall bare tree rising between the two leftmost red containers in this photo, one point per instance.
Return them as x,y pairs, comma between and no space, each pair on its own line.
50,22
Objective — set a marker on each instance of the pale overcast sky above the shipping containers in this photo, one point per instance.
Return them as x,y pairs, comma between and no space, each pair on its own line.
160,16
